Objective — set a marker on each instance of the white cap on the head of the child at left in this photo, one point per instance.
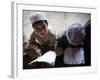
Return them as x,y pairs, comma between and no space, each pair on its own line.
38,16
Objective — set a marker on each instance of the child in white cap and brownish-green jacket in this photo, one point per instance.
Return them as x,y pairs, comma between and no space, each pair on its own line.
41,40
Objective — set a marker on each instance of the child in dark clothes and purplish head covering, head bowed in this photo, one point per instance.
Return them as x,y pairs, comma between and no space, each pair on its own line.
71,44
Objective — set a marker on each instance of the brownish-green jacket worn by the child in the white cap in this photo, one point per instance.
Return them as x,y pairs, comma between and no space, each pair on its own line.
40,46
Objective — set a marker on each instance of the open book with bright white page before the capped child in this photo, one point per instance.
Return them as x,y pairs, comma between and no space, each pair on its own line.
45,61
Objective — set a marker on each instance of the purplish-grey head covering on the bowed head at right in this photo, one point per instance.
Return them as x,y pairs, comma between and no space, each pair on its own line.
75,34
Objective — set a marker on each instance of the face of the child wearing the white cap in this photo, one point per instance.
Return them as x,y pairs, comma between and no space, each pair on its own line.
41,28
